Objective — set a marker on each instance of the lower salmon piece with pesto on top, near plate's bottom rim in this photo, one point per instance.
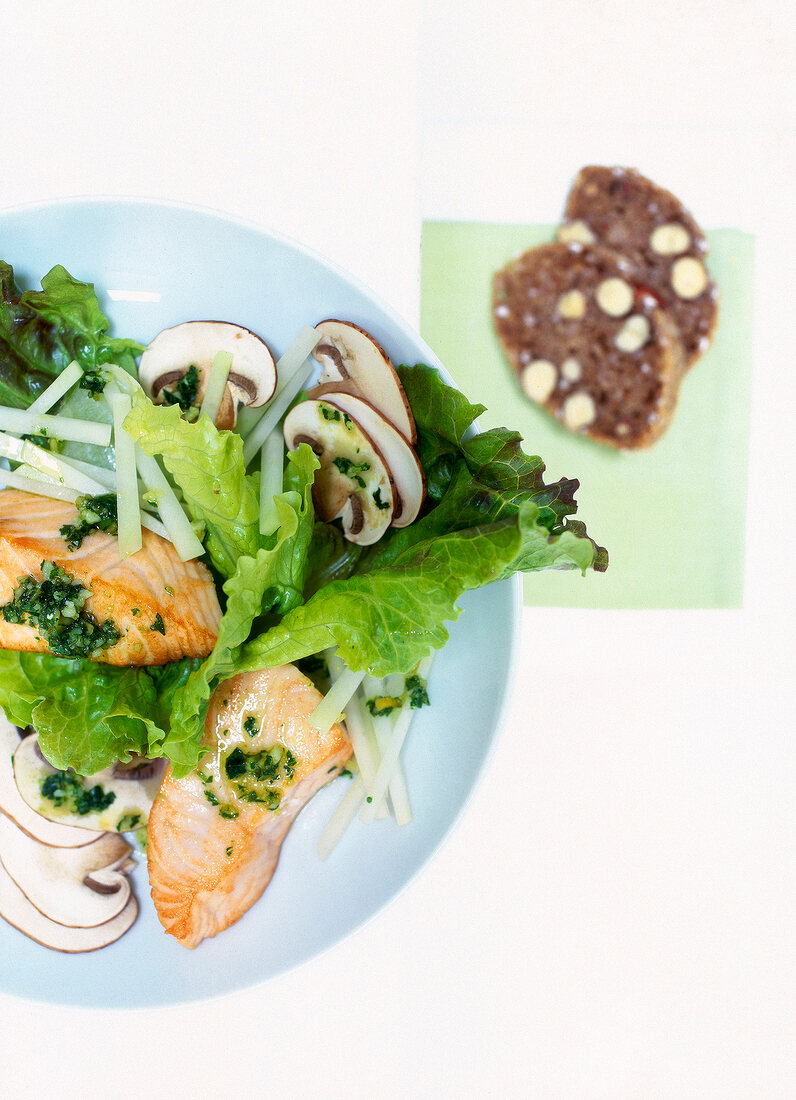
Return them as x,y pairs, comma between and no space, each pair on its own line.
212,852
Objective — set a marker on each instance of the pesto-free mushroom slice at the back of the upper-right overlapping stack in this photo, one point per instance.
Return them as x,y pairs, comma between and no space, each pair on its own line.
350,355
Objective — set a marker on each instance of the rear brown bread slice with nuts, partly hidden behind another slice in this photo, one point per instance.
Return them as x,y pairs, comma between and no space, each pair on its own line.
624,211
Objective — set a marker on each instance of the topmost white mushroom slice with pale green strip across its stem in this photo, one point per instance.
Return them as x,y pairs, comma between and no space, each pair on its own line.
252,379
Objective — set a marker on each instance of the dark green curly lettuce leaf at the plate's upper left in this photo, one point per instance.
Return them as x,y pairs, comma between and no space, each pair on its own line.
42,332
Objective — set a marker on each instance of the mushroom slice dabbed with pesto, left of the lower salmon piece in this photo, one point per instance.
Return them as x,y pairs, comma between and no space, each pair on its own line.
134,793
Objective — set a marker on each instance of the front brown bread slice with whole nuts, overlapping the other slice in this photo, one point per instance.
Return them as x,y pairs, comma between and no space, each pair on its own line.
588,346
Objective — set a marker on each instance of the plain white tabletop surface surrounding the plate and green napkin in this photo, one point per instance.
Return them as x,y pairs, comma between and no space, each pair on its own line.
615,915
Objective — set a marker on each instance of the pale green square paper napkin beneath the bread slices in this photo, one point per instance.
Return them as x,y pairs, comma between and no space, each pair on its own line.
672,518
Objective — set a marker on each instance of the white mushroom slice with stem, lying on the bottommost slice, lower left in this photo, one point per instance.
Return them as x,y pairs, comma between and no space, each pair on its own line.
78,887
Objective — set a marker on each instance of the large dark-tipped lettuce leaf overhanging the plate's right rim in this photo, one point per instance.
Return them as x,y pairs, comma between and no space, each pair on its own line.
490,514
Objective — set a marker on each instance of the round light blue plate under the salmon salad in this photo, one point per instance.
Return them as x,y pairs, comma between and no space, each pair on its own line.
157,265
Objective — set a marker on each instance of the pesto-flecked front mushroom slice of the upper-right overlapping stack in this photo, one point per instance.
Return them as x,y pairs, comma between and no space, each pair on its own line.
355,482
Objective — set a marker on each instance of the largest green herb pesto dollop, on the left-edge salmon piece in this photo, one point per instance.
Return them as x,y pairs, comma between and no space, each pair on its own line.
56,607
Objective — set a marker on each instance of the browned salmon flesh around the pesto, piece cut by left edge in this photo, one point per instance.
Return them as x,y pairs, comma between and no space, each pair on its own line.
131,592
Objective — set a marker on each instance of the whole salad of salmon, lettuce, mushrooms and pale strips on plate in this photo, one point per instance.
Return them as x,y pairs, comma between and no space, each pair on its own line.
224,577
